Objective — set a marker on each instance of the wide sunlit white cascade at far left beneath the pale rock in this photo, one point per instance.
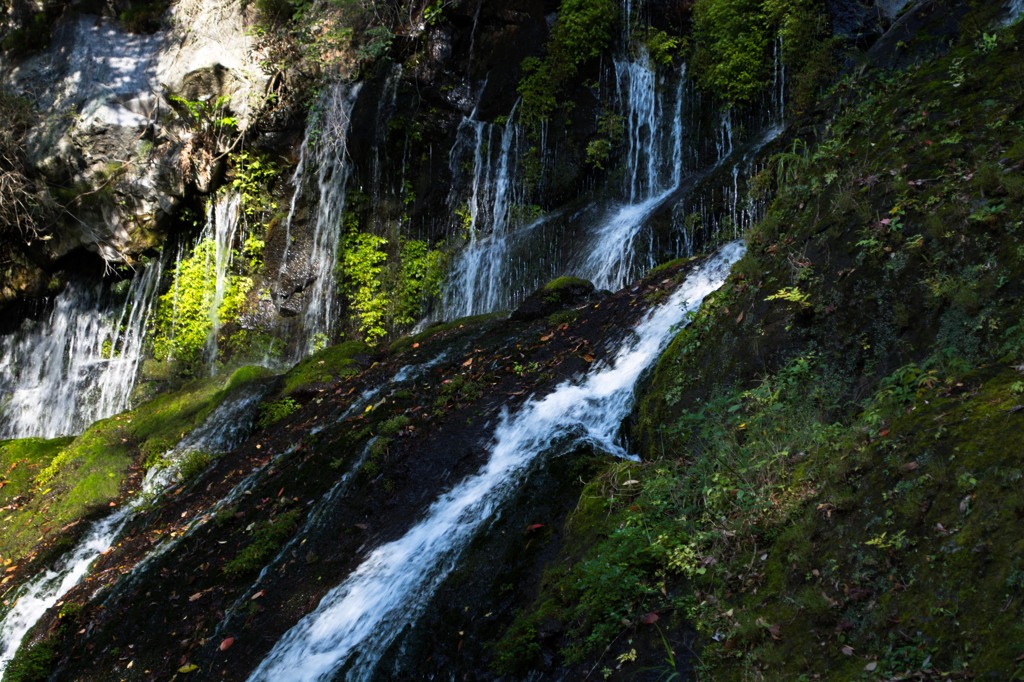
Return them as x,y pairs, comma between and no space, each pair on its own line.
78,366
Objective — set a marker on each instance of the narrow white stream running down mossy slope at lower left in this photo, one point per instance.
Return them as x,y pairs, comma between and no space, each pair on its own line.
223,431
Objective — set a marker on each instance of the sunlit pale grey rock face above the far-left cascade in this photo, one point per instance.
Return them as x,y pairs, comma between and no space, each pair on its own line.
136,123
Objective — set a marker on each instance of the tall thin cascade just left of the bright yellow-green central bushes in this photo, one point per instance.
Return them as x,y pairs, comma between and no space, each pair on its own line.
330,153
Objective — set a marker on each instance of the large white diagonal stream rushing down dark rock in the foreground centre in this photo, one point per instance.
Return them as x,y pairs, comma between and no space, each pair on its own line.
357,622
